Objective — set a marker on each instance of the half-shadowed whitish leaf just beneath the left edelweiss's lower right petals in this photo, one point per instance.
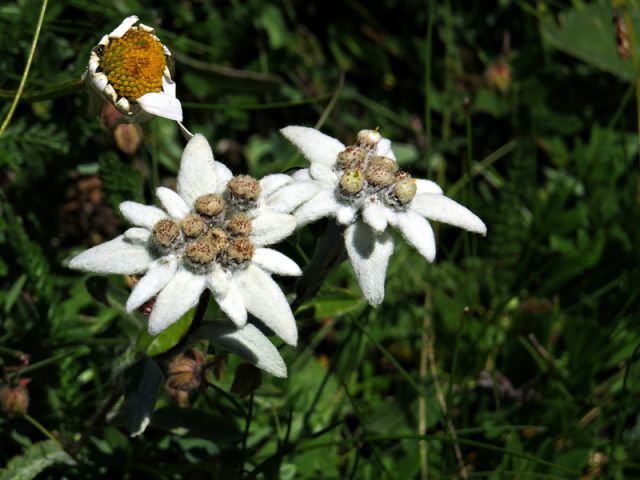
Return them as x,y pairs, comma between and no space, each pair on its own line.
247,342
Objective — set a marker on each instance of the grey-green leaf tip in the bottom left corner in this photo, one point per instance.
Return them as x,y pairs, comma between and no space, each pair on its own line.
34,460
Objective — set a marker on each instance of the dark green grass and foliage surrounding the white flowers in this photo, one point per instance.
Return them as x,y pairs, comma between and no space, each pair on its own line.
512,356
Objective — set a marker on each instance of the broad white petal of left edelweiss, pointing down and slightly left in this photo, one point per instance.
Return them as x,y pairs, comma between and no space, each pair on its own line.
175,299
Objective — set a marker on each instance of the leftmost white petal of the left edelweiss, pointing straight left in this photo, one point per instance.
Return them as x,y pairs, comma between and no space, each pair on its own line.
119,256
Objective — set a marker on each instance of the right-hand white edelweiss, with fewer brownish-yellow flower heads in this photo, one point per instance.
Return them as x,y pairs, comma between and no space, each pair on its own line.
363,188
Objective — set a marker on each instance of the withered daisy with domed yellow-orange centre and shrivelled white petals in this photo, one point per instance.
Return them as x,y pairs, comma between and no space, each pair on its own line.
130,68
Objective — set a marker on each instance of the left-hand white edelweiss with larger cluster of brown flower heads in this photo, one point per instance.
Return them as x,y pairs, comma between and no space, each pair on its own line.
212,234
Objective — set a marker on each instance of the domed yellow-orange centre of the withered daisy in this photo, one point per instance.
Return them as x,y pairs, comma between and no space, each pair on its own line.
134,64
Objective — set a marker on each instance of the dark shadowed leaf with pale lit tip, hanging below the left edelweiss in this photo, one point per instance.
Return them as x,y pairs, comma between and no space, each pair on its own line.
142,382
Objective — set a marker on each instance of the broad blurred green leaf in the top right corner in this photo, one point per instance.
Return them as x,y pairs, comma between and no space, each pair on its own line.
588,33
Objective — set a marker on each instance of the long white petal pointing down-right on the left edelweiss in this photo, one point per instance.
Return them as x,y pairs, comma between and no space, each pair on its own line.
264,299
